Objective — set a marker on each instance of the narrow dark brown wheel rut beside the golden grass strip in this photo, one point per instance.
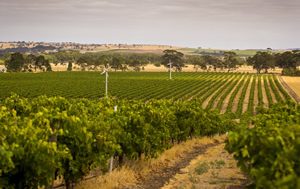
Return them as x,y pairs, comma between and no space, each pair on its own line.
157,178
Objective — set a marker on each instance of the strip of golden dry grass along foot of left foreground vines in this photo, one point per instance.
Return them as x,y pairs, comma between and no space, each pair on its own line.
127,176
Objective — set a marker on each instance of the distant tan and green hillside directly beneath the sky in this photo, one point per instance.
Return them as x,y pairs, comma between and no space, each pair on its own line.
36,47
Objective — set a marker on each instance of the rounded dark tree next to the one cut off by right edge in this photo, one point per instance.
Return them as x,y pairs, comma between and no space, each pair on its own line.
262,61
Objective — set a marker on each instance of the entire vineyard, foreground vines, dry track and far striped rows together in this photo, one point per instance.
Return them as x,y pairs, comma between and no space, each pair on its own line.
144,133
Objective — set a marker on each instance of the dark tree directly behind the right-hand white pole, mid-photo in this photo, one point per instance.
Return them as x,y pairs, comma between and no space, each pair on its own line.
175,57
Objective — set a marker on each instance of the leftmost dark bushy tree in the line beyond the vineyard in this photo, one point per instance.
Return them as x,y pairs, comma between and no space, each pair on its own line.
15,63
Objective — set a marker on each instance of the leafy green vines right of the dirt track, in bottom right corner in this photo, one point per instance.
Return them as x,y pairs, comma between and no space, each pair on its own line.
269,151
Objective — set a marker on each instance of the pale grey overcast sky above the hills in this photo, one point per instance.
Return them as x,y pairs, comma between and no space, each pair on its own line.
224,24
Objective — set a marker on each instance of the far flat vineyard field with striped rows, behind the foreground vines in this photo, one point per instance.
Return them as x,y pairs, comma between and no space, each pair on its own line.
226,92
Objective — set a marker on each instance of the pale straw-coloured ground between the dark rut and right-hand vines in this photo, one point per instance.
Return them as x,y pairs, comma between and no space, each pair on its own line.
213,169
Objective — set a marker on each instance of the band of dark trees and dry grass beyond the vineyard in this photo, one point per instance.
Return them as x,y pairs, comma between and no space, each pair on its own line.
261,61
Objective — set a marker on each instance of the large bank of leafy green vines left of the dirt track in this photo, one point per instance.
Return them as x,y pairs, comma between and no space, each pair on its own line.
44,138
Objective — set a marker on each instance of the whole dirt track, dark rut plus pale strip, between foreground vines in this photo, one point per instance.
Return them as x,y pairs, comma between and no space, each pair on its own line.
213,152
